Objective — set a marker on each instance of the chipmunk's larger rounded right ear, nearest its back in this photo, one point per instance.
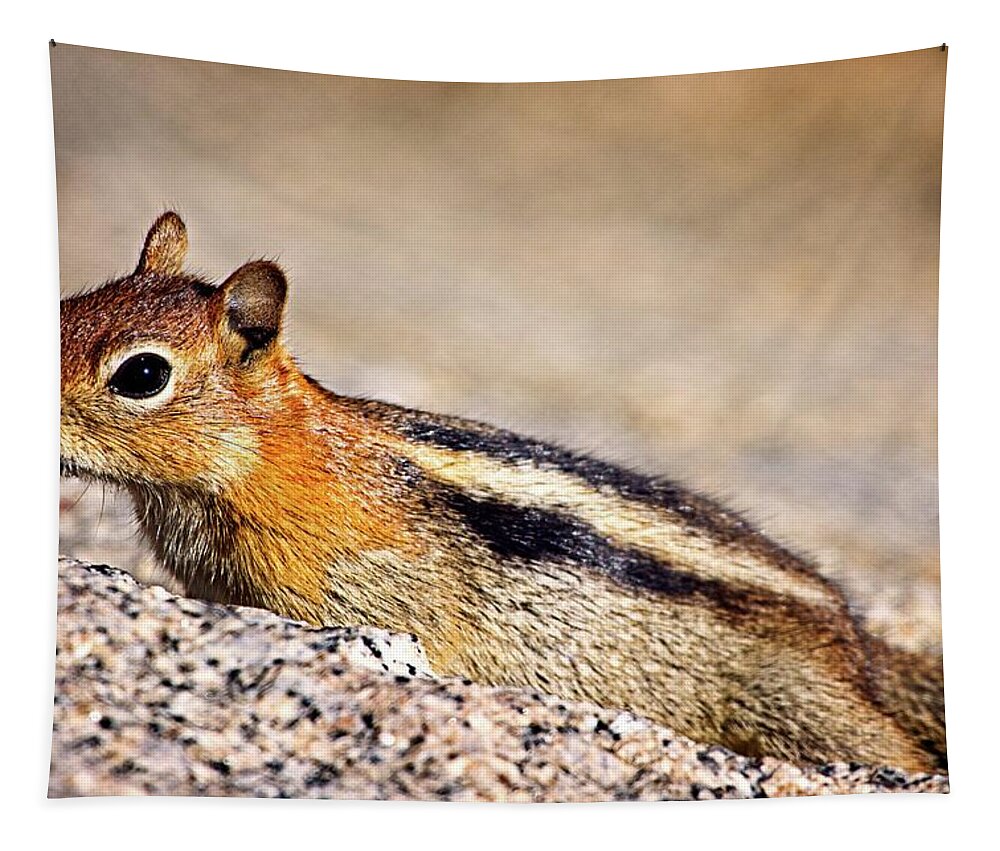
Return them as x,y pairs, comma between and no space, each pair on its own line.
254,299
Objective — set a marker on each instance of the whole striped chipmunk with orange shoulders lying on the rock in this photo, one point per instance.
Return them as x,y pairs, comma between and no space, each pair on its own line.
516,562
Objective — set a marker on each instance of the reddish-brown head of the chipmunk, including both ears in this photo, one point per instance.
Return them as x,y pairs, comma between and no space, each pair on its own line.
163,373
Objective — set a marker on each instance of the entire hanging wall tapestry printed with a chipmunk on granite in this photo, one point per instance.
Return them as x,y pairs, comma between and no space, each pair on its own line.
567,441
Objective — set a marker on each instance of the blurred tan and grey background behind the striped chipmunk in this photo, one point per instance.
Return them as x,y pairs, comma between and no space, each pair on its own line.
730,279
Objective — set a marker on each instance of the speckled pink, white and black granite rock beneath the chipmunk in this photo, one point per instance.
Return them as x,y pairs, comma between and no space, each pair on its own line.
163,695
